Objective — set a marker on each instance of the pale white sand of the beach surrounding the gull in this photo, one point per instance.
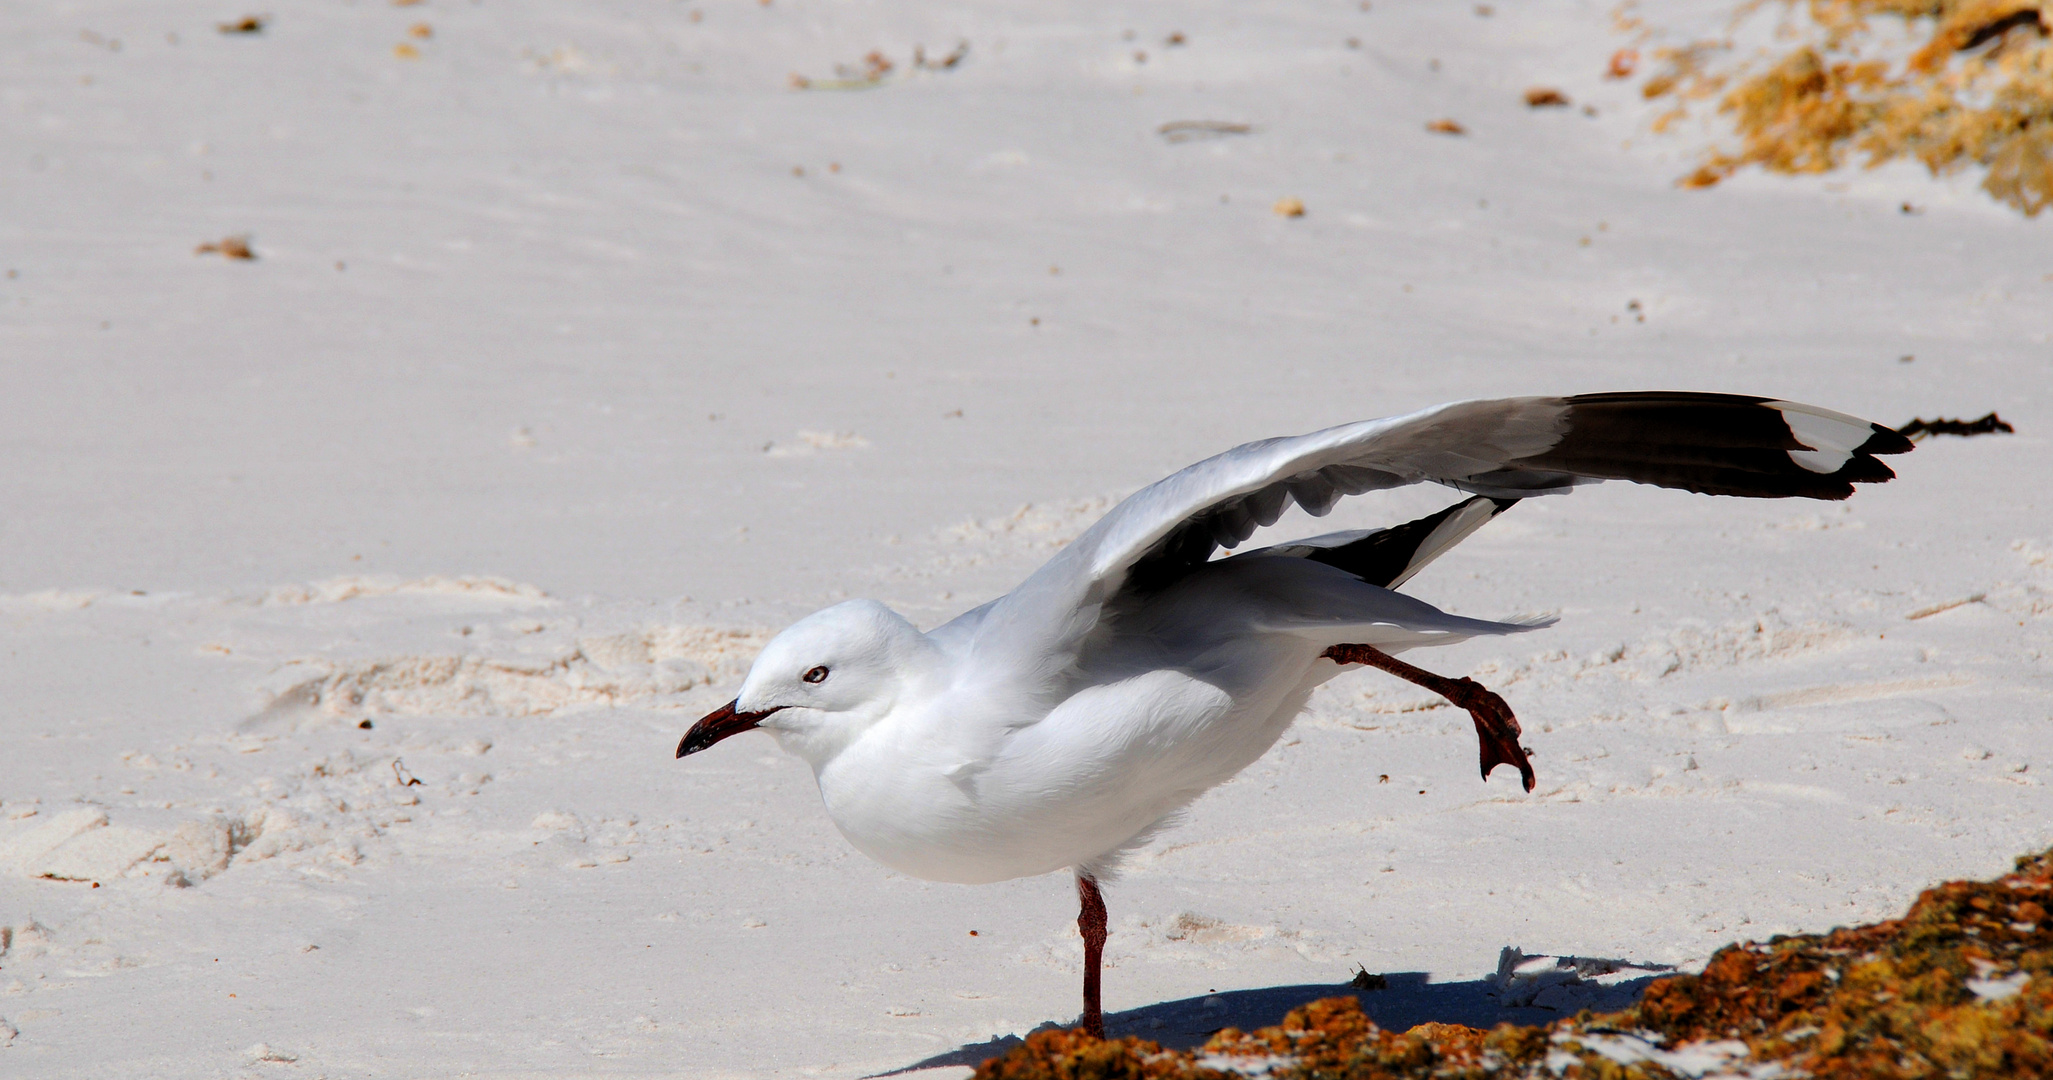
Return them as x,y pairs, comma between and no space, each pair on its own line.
553,389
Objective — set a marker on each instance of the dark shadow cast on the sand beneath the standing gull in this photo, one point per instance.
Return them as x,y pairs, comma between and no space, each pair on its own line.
1407,1001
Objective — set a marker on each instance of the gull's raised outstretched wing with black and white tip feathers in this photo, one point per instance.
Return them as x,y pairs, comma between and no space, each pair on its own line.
1508,449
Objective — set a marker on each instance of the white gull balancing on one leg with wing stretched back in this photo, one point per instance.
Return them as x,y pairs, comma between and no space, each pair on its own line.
1075,718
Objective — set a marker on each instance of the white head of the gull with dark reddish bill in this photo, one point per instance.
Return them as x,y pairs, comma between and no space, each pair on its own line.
822,683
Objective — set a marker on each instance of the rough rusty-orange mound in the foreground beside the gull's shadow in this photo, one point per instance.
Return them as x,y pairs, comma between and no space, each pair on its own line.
1960,989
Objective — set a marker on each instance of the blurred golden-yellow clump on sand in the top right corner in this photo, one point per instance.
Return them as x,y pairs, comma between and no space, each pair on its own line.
1978,91
